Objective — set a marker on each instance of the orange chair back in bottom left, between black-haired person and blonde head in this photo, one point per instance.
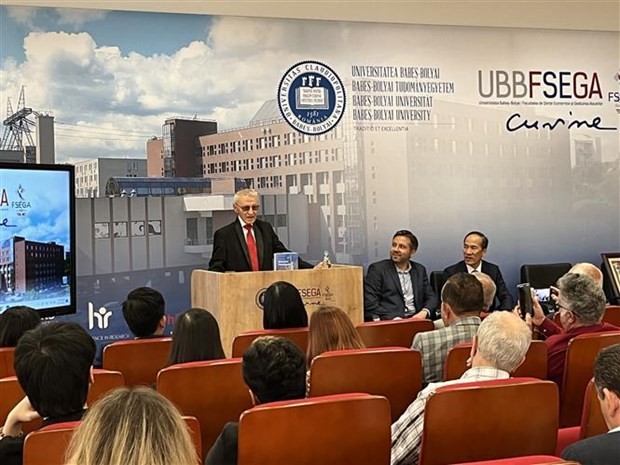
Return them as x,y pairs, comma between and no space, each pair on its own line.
48,445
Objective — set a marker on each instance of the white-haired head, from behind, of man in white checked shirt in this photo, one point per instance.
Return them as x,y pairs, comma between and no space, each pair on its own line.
501,342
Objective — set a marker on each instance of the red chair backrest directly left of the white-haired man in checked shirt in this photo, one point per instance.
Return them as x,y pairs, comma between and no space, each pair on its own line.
394,372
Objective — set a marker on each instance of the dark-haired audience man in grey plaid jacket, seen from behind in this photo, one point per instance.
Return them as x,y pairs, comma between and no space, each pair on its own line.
461,303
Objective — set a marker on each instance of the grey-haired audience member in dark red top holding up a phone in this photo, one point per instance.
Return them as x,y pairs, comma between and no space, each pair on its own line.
581,304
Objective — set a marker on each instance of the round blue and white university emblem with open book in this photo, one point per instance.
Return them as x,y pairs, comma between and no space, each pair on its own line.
311,97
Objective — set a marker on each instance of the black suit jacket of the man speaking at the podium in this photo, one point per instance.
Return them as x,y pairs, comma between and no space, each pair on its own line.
230,250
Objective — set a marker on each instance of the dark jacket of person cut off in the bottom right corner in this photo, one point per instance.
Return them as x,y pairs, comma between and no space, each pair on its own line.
603,449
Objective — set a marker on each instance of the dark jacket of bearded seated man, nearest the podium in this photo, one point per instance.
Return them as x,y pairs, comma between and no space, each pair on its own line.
383,295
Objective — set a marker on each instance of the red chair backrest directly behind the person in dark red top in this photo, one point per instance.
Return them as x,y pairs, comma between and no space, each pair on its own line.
578,370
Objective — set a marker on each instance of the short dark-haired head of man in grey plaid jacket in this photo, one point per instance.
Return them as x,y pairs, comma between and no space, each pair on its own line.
461,296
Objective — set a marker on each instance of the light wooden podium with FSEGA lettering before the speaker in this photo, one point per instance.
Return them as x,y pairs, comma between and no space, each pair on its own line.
235,299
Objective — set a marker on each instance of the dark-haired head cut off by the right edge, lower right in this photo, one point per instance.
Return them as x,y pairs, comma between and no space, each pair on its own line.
607,382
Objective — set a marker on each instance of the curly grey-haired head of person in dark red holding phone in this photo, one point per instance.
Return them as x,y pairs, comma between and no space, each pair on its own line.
581,301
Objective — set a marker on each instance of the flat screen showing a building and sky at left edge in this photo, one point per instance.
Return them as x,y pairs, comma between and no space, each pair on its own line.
37,237
